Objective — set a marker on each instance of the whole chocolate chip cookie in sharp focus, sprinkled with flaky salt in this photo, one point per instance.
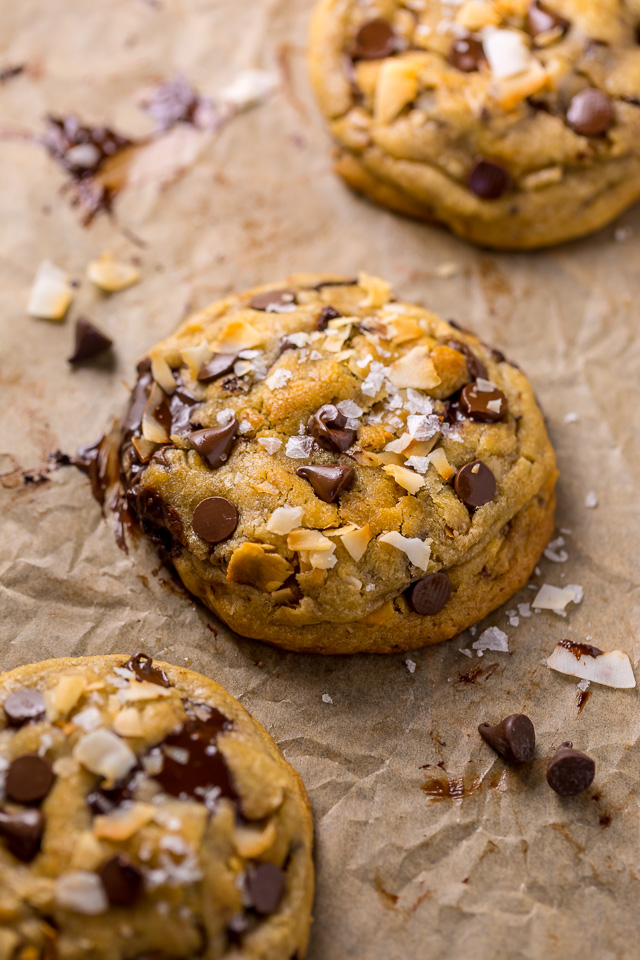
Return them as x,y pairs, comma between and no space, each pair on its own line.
333,470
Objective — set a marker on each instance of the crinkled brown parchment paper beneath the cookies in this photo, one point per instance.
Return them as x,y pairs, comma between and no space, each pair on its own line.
507,870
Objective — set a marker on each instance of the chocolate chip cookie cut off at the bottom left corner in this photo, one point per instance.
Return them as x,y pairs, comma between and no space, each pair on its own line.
145,815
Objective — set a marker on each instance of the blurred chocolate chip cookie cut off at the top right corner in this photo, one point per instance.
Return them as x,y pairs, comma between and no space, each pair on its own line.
516,124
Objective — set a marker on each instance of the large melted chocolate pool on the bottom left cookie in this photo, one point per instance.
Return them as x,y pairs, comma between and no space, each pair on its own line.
203,775
